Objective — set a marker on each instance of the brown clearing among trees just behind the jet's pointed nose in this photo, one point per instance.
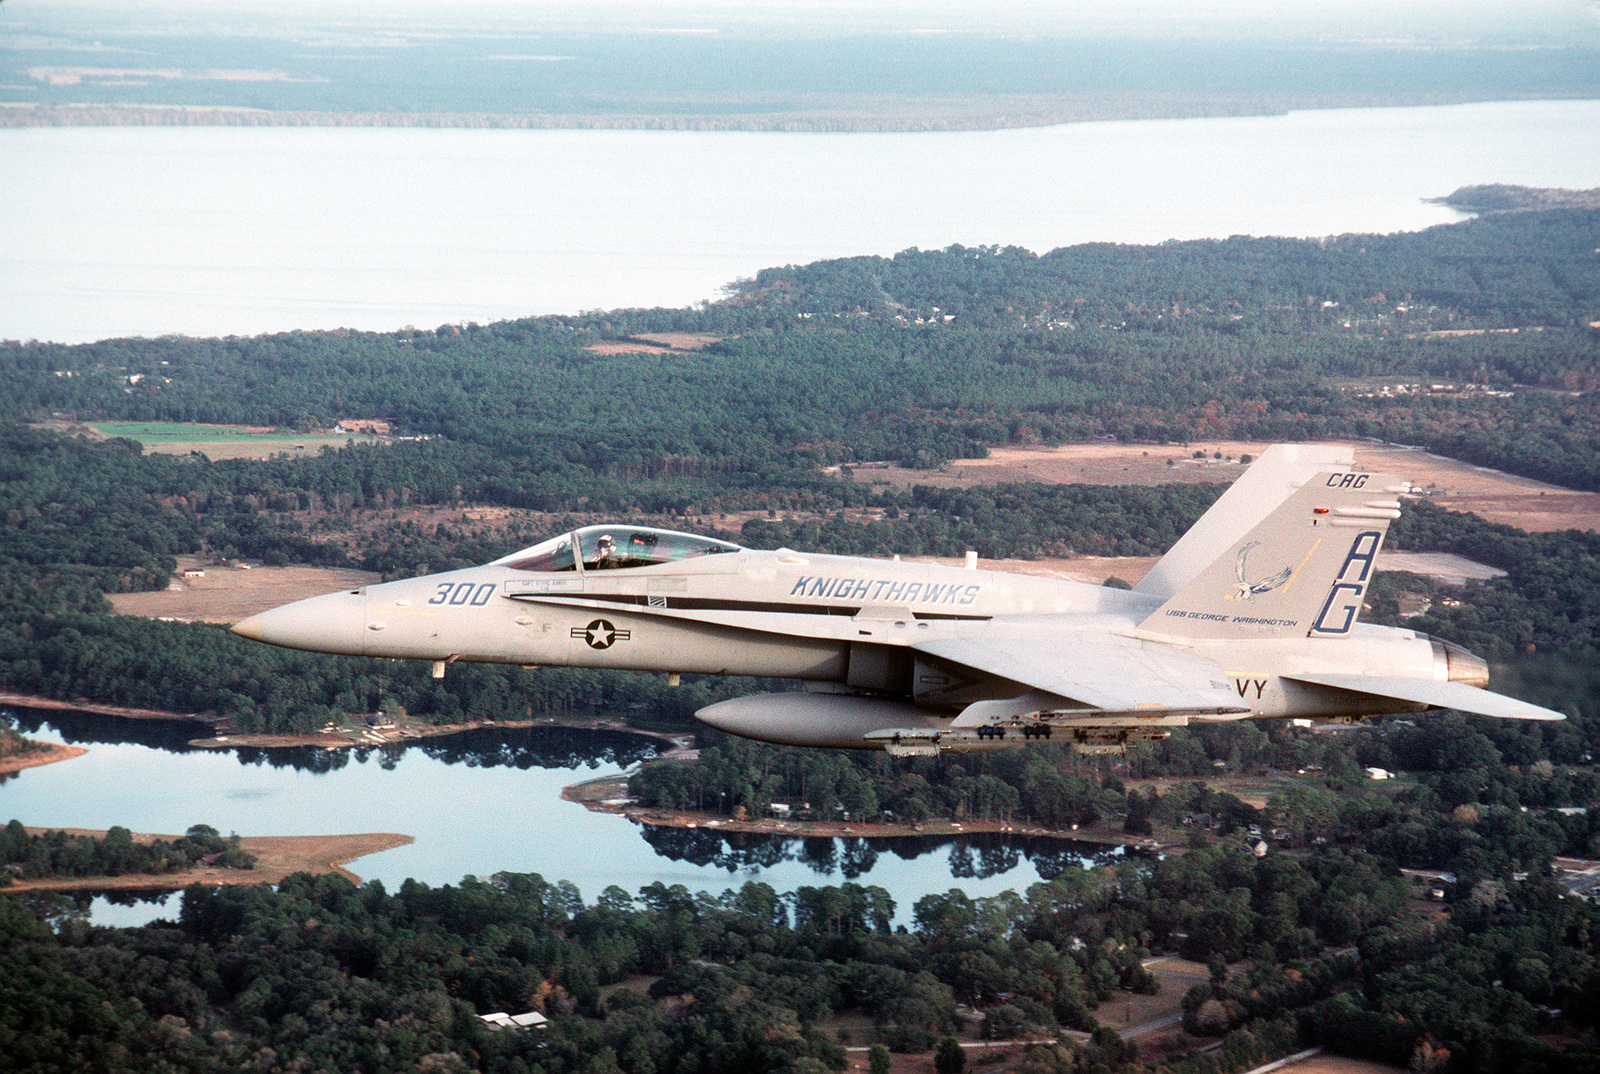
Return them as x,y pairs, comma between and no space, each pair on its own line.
228,595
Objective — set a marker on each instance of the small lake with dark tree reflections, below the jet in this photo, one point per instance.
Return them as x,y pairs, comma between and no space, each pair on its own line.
478,804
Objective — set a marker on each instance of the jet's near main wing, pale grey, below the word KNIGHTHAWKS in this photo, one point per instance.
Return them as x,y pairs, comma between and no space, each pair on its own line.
1098,671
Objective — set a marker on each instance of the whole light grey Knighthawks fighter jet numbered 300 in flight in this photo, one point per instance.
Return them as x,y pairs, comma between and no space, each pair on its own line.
1252,615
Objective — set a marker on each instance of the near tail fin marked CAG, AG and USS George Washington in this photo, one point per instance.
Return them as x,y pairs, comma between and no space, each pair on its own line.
1302,571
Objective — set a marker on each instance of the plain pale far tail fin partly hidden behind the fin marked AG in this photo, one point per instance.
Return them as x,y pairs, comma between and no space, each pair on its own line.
1252,499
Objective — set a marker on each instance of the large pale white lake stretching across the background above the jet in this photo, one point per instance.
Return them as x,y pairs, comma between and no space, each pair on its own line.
239,231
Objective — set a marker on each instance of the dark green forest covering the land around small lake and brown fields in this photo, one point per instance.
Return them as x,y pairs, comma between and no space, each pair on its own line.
1474,340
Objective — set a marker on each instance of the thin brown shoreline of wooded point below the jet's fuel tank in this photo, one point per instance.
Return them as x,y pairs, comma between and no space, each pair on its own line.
609,795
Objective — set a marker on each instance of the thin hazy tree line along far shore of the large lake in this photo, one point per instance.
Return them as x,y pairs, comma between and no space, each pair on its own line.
834,114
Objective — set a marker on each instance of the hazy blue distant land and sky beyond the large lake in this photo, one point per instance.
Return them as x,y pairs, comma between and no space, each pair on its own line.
767,66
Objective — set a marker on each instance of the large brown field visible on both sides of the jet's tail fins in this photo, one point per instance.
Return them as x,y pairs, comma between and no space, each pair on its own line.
1519,502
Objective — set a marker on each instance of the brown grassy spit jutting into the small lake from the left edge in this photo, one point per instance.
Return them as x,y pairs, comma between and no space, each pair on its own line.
276,859
